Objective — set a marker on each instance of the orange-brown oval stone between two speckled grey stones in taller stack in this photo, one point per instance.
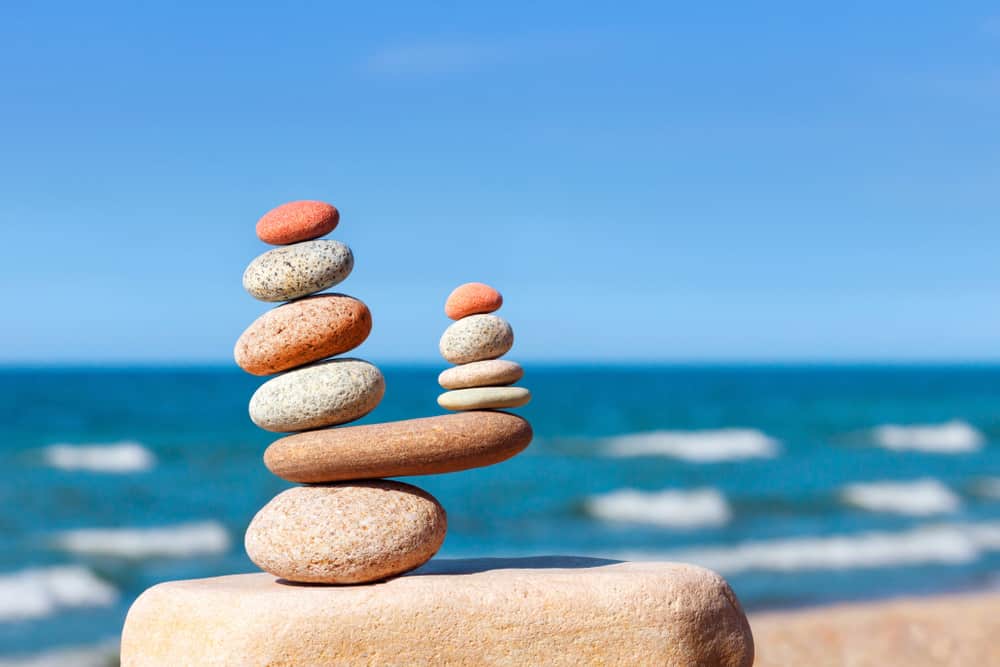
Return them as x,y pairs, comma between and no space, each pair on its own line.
301,332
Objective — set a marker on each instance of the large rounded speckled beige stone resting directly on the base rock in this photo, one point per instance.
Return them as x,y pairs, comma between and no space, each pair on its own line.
347,533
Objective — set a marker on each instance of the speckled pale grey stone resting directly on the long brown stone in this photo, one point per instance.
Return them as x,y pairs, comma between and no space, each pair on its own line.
326,393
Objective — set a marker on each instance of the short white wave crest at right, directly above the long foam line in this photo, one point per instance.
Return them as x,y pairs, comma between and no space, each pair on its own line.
922,497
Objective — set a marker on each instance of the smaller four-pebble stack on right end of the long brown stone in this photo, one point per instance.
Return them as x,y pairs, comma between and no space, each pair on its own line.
481,380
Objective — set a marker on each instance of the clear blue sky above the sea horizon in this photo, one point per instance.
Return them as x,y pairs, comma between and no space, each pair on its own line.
642,181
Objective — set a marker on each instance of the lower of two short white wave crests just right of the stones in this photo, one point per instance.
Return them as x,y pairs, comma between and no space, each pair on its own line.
672,509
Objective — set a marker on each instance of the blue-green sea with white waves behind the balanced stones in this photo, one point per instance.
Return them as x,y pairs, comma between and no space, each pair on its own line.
803,485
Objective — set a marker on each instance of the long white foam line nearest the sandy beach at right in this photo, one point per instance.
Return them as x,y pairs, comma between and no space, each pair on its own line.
944,544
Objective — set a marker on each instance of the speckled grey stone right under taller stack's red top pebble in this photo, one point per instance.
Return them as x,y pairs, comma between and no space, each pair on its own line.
298,270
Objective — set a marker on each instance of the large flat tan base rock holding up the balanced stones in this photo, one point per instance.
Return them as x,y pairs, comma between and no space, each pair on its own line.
548,611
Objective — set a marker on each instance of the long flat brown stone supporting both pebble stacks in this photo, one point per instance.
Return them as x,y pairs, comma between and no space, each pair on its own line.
426,446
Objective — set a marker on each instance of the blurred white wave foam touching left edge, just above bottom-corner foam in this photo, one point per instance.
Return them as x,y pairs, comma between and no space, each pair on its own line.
41,592
